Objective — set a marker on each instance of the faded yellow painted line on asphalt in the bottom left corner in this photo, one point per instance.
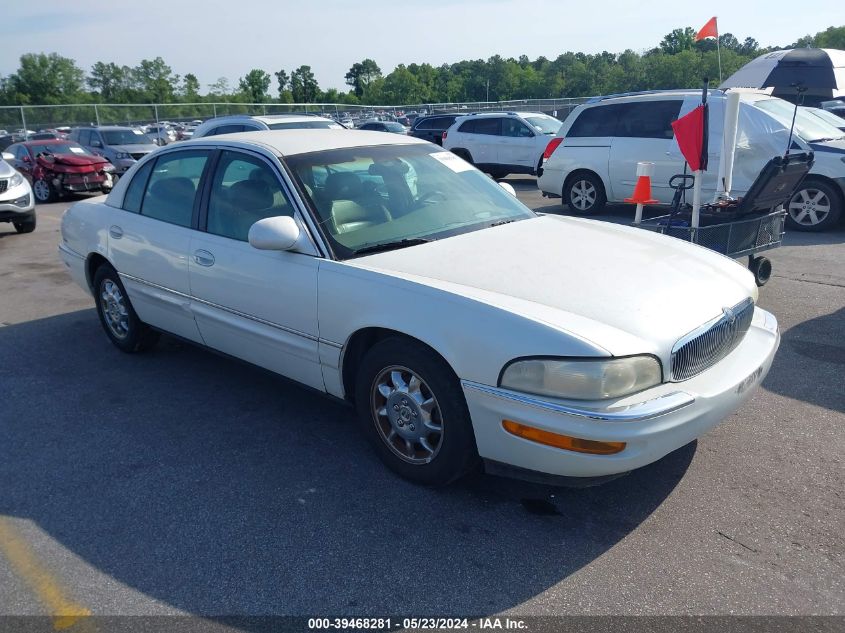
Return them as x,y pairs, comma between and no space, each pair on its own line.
49,590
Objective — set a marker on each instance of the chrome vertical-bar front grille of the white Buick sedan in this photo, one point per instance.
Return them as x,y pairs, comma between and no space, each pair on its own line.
706,346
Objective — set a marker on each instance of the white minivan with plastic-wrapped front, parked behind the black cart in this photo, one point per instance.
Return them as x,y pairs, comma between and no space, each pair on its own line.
593,159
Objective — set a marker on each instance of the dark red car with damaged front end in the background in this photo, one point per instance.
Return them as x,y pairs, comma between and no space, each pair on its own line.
56,167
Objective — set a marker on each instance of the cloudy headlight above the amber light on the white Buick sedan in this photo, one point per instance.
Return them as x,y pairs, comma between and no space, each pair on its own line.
583,379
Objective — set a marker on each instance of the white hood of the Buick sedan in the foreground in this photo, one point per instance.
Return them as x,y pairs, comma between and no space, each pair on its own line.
562,270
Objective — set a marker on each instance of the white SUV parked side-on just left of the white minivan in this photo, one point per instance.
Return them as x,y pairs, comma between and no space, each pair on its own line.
501,143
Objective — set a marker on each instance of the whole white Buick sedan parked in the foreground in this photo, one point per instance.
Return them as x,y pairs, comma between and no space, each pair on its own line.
389,273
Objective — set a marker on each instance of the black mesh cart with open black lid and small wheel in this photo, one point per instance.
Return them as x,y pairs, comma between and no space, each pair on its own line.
743,227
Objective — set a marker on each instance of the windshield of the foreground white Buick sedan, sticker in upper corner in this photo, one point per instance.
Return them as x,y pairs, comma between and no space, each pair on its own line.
372,198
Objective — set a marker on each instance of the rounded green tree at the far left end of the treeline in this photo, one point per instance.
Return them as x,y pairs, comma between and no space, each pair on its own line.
46,79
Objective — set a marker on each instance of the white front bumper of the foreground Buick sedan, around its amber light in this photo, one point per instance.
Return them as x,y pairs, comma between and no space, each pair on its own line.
652,423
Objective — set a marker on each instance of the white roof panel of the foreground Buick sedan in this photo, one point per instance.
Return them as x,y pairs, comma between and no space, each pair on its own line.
296,141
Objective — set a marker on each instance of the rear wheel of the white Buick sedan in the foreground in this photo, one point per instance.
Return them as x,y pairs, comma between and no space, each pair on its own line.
117,316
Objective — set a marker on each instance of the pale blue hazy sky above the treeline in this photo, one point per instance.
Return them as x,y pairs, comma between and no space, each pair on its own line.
215,40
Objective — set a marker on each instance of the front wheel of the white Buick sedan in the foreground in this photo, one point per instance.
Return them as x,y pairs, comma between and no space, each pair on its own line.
411,407
